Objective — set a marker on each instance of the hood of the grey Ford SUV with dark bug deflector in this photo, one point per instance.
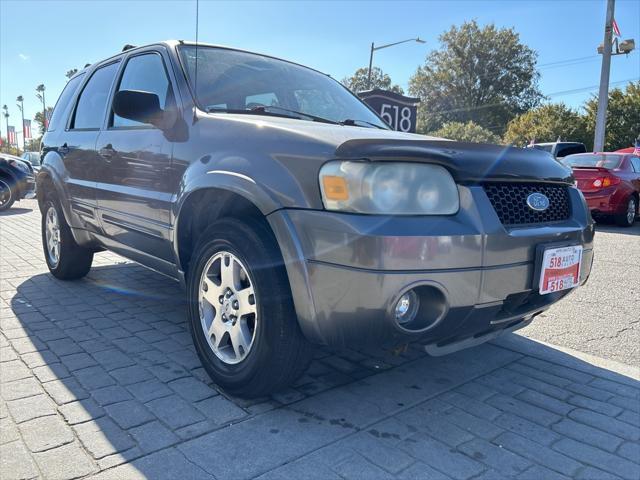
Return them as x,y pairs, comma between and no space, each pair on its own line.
467,162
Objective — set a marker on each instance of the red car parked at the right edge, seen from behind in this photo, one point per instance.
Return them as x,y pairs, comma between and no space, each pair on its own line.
610,183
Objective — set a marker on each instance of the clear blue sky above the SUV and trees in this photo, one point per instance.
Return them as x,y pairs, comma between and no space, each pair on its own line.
40,41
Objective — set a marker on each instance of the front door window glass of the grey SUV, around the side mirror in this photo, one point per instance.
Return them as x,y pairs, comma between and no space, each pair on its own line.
146,73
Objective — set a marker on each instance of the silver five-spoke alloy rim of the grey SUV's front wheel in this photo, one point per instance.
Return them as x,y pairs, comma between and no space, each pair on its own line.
228,307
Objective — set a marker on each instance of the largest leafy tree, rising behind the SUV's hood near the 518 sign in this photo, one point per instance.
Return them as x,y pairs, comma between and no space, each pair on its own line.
481,74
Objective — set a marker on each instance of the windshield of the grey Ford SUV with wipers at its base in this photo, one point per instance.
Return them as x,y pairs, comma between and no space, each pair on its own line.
229,80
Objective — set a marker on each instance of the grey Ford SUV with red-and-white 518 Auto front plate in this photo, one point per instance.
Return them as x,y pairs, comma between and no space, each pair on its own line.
293,215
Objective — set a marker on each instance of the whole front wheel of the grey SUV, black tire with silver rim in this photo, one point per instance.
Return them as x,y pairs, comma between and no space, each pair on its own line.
241,313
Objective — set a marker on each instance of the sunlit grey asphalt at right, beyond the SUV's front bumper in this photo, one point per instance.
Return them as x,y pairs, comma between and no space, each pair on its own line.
601,318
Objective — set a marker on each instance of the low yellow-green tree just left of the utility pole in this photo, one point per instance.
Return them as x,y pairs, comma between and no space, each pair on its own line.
546,124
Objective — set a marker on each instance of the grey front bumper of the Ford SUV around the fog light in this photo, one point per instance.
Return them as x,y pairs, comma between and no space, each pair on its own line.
348,271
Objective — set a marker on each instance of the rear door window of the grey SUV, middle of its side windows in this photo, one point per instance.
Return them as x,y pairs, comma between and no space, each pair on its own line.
92,104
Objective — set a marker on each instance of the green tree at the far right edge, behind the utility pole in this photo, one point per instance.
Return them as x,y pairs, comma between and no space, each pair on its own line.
623,117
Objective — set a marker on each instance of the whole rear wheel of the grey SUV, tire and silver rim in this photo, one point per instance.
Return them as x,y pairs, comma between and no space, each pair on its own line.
65,258
